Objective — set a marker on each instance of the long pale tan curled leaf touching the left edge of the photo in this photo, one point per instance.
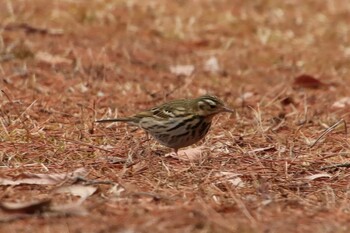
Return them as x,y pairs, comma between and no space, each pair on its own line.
44,179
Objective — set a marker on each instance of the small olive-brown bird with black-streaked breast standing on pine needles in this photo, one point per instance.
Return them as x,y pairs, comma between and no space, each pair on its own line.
177,123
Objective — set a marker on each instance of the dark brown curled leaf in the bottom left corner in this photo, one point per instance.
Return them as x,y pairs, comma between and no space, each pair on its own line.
26,207
